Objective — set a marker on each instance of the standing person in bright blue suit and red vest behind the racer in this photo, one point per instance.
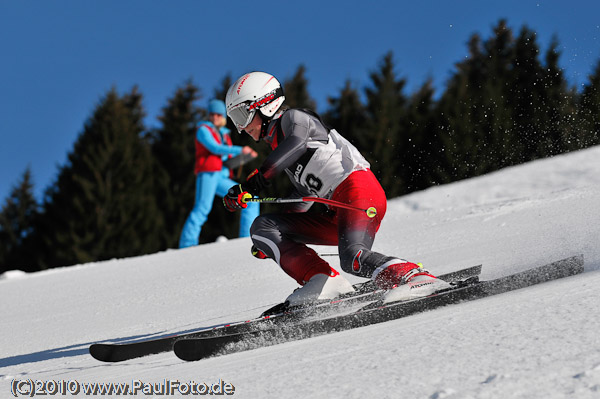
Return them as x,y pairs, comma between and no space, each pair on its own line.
213,146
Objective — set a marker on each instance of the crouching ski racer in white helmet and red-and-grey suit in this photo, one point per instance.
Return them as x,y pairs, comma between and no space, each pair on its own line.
320,163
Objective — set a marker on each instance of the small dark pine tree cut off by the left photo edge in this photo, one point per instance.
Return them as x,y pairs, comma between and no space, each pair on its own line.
16,225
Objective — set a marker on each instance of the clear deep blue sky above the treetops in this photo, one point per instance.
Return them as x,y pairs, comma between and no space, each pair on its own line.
59,58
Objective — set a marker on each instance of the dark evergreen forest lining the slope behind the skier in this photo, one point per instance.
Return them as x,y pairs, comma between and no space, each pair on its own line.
126,189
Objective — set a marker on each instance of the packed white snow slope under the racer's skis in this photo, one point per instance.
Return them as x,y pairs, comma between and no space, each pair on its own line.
538,342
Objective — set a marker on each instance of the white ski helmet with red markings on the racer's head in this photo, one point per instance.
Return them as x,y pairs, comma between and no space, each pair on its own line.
253,91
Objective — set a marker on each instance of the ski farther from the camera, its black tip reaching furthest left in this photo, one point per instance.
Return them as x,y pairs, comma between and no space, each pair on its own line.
118,352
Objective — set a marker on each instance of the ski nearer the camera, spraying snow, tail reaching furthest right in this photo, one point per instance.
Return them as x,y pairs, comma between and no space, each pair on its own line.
199,348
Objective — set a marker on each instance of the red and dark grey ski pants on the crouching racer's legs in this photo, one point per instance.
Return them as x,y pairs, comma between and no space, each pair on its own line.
283,237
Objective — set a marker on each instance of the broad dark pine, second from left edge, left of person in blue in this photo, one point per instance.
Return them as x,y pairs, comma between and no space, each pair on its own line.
103,205
